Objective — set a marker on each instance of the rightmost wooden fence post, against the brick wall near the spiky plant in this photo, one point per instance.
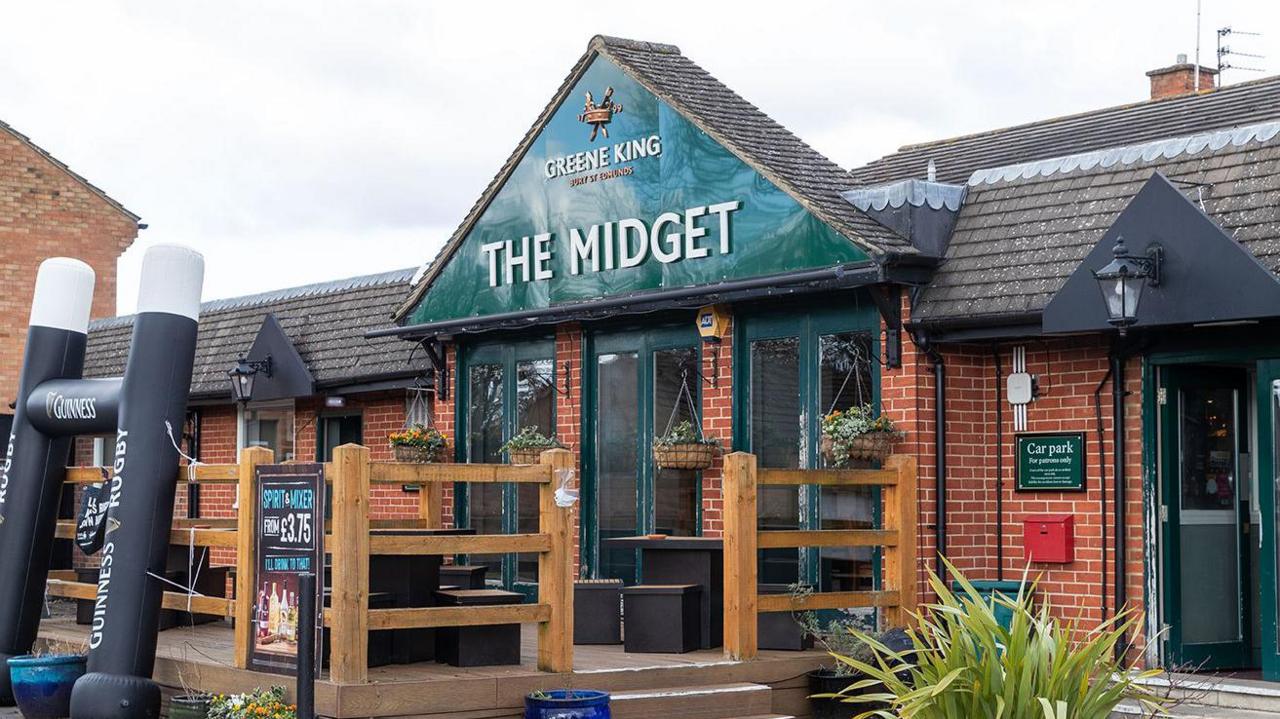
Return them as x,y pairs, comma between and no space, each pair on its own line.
900,503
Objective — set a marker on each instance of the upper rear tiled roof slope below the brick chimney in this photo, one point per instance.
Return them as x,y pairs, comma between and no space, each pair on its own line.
958,158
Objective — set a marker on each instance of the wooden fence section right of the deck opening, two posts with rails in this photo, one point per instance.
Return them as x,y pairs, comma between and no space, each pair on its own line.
743,539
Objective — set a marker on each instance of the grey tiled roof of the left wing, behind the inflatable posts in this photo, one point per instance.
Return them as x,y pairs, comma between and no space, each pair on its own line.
327,323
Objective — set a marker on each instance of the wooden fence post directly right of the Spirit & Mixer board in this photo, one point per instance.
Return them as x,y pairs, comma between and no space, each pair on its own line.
349,660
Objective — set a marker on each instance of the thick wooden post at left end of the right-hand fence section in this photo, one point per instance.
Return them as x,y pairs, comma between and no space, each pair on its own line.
740,557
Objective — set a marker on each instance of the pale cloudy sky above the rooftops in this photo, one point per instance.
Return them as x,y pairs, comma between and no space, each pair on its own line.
296,143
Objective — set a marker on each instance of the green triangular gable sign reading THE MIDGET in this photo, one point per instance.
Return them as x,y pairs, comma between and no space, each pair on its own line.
620,194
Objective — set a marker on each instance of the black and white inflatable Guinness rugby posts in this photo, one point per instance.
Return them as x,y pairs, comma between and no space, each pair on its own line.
144,410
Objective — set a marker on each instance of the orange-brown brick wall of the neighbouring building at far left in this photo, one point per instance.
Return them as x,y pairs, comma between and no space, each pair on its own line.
45,213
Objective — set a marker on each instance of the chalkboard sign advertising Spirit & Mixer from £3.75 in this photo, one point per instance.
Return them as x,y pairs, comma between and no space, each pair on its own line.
290,541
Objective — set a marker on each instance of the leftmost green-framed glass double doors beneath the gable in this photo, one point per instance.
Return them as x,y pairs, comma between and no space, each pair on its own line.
505,388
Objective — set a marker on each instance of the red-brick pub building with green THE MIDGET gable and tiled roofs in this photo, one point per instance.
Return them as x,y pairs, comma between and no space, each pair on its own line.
1072,322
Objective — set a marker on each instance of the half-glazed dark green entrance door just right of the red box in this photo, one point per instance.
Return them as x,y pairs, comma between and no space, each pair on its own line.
1206,529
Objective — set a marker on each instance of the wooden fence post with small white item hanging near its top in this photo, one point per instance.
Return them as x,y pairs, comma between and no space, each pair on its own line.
556,570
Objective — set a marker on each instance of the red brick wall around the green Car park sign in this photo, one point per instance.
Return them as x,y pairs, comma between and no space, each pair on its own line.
1069,372
